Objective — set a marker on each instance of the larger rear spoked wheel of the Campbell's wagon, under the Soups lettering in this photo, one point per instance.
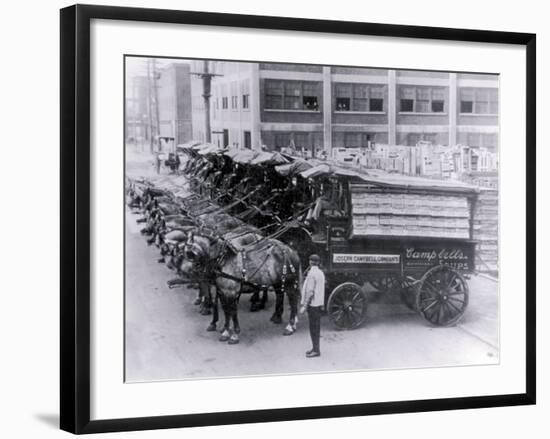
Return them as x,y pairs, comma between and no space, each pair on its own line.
442,296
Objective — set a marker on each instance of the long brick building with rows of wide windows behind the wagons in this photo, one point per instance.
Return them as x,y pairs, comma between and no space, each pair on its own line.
324,107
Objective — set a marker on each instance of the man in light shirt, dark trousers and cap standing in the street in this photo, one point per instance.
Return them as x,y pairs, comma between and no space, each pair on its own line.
313,298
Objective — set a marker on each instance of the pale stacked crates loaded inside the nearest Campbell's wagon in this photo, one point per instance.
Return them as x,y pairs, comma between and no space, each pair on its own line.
405,214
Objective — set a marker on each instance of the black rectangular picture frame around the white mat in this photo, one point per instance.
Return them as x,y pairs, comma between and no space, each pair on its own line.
75,217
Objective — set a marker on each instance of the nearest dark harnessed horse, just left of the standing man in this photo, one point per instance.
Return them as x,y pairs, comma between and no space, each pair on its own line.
252,265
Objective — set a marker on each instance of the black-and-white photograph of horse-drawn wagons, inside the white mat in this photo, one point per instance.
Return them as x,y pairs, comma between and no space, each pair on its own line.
288,219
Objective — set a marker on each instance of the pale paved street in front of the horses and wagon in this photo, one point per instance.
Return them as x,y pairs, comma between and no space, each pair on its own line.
166,337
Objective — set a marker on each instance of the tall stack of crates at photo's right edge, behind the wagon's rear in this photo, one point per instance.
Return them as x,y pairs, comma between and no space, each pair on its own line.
485,230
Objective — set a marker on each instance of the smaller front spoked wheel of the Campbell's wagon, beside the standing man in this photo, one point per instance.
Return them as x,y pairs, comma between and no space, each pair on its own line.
347,306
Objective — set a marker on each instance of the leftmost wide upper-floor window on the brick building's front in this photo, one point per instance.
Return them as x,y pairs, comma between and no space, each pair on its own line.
292,95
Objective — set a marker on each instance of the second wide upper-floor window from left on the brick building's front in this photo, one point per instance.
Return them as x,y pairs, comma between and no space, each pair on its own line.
359,97
